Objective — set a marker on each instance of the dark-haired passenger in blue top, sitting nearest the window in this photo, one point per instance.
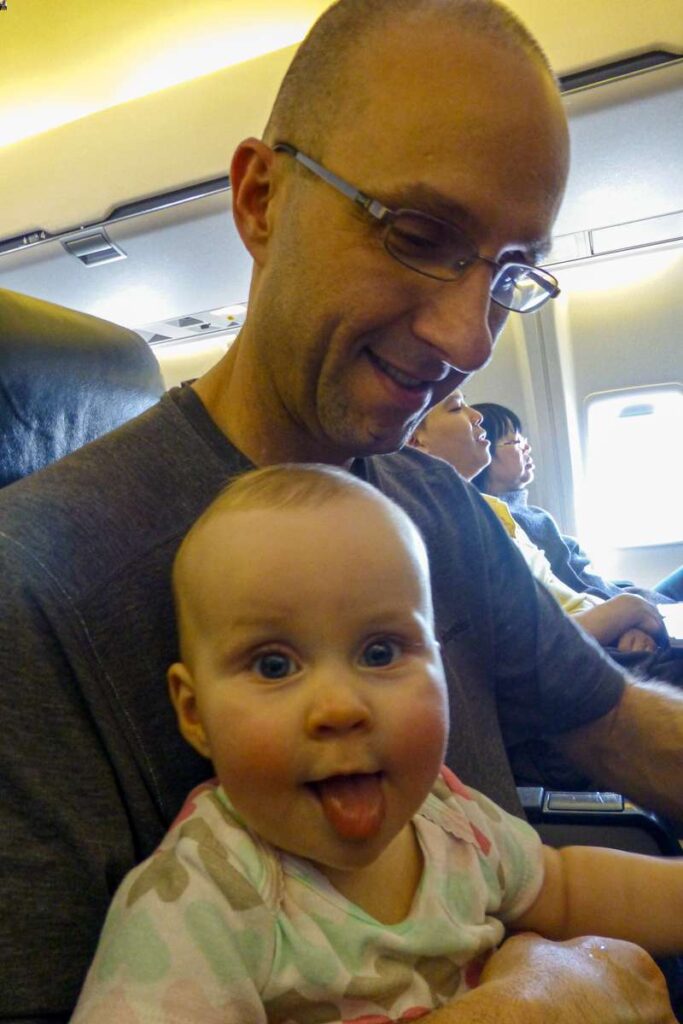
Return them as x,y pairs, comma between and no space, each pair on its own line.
509,475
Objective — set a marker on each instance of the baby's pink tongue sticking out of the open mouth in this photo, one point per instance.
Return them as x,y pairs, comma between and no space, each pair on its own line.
353,804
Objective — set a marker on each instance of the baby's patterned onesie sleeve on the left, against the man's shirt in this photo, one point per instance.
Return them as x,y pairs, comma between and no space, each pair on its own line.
190,935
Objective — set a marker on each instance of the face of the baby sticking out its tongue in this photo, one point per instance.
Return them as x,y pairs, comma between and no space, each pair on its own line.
314,680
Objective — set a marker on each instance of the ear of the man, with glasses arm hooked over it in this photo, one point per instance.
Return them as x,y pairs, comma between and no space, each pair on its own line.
252,182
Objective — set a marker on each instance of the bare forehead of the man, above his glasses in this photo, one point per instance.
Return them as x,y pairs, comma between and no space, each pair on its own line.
438,113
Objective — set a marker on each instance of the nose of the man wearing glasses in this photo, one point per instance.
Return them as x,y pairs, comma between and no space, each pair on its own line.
456,318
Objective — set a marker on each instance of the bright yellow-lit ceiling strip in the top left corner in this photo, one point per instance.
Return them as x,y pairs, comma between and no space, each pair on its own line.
63,60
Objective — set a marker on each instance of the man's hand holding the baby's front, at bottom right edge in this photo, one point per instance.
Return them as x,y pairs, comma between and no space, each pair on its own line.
531,980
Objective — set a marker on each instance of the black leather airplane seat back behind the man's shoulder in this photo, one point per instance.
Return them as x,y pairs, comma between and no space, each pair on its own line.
66,378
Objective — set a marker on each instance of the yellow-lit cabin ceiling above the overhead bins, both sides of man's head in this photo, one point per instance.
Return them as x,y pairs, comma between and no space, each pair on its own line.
142,97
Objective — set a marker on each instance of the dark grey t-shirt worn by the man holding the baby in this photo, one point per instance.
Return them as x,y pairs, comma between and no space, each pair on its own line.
93,766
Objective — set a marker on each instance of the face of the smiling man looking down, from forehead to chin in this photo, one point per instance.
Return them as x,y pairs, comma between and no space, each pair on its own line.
355,347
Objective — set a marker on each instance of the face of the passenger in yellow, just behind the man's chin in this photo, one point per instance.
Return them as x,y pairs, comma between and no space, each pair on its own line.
453,432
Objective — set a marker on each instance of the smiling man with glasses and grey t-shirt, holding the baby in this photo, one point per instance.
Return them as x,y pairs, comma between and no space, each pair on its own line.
397,210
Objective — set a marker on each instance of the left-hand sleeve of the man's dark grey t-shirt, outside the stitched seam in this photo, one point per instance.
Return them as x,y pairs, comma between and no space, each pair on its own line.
65,833
